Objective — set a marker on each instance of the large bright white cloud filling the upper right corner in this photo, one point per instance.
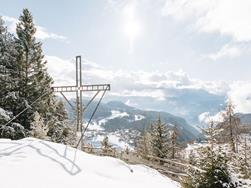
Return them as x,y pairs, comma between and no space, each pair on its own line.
227,17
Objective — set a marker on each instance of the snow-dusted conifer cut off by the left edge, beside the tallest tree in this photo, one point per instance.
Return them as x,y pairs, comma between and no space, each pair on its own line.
8,81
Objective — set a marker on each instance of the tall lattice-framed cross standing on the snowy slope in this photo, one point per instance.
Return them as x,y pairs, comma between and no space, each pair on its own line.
79,88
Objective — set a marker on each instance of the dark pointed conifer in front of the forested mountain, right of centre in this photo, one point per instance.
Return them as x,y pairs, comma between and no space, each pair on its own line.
160,138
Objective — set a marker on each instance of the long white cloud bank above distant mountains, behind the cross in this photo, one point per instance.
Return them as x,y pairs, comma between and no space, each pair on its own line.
155,85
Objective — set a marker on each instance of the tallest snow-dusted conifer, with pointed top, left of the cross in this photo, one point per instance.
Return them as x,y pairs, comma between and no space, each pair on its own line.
34,80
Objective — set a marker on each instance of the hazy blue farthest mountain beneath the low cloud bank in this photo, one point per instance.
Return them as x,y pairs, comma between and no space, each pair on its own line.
186,103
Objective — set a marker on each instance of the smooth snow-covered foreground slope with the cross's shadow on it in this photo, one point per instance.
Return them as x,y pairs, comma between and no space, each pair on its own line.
33,163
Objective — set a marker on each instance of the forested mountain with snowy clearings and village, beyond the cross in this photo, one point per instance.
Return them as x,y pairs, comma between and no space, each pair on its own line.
123,124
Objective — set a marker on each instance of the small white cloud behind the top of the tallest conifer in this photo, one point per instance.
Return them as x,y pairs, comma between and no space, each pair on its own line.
42,33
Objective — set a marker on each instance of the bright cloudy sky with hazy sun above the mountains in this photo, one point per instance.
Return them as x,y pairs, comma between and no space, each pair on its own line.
143,46
